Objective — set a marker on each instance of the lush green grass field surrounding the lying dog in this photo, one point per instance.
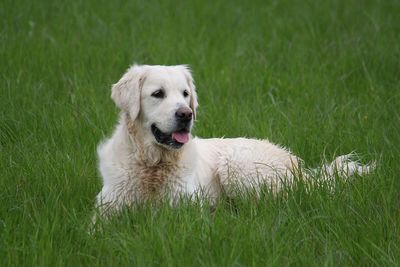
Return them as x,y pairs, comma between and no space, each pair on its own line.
320,77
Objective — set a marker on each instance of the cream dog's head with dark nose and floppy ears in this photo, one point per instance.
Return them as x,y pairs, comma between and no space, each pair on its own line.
162,98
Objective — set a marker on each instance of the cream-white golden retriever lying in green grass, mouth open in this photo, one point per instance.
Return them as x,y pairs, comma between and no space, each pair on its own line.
152,153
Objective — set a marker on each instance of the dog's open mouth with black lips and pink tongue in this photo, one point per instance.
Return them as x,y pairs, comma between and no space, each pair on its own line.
174,140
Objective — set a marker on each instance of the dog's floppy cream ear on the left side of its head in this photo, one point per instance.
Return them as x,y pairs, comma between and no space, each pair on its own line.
126,92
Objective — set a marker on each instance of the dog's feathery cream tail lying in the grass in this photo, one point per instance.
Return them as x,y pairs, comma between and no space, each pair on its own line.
344,166
